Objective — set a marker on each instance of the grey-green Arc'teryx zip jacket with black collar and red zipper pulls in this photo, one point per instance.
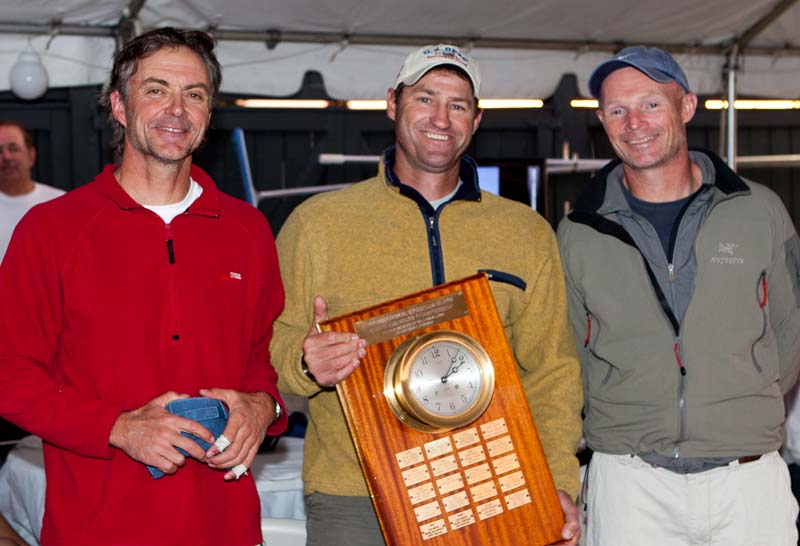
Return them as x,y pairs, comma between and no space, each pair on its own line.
685,357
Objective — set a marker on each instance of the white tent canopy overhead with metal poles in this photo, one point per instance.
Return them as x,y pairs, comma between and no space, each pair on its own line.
523,47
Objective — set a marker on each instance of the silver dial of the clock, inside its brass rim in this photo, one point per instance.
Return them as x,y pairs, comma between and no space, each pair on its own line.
445,378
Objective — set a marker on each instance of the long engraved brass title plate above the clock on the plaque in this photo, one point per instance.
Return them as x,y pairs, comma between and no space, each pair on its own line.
412,318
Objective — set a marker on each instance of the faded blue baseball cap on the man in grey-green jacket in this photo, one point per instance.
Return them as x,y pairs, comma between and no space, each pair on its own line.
656,64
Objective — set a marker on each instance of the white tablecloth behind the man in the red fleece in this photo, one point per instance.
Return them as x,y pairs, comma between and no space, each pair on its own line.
22,484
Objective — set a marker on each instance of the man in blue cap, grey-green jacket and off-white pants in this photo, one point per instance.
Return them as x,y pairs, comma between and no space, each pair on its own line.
683,293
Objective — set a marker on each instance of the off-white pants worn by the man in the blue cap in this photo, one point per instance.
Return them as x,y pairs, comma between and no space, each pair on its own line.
631,503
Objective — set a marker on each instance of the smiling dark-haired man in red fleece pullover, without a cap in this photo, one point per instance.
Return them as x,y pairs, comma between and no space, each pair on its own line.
145,286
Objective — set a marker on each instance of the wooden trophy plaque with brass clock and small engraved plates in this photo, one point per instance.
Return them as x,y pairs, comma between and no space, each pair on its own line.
434,480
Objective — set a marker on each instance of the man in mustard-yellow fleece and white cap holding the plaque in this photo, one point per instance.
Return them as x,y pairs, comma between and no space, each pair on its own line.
421,222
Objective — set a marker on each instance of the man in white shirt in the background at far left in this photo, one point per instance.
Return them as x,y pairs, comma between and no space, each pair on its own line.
18,193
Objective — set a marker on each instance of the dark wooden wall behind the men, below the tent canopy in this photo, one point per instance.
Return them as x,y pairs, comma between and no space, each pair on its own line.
71,136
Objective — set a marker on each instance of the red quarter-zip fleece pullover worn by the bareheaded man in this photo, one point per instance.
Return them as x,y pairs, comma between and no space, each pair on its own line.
103,307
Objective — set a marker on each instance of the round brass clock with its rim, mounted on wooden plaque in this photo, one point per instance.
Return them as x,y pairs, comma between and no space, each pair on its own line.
439,381
